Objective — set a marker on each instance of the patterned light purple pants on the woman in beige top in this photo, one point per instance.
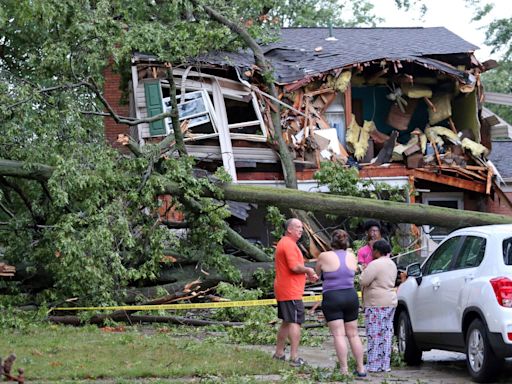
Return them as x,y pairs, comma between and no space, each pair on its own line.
379,334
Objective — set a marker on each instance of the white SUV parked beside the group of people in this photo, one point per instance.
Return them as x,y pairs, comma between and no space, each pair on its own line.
460,299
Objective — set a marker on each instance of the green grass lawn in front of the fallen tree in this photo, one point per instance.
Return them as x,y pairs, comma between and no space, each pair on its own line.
68,354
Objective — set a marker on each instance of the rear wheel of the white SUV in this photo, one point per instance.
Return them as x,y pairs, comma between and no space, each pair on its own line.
482,363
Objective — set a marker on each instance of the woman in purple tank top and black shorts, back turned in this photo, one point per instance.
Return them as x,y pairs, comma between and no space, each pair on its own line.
340,303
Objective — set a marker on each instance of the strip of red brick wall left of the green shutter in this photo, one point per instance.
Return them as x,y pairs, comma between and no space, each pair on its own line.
113,94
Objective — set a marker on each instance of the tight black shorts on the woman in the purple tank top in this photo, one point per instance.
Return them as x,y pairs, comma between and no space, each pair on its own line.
340,304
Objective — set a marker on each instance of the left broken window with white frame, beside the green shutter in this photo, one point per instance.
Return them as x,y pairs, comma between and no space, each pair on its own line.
196,107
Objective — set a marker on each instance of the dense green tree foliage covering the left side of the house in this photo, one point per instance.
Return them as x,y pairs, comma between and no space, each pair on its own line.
94,226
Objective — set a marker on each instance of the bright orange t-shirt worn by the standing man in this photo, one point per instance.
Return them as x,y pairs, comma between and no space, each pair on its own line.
288,285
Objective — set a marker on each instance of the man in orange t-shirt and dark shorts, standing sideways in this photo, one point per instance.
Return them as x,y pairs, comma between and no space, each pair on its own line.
289,289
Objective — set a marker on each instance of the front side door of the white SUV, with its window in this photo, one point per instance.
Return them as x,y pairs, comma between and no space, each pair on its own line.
426,307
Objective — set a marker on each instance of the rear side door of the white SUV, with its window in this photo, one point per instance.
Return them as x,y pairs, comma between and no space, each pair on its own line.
452,292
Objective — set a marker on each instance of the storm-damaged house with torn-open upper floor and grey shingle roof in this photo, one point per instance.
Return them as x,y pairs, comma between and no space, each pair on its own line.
401,104
